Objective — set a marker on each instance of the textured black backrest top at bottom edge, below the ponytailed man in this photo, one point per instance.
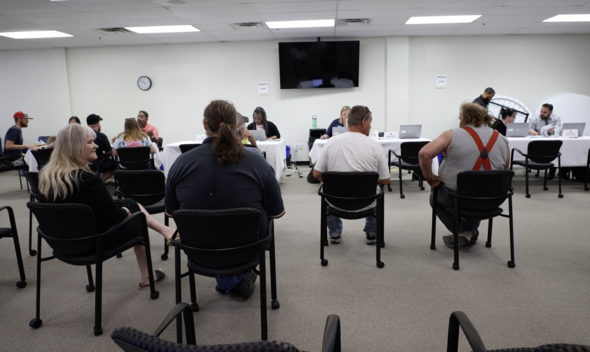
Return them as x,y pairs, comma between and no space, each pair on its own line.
150,343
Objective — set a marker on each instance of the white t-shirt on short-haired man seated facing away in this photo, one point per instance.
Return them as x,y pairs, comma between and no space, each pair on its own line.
353,152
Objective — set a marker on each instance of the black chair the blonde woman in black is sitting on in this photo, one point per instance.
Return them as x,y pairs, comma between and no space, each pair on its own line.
70,229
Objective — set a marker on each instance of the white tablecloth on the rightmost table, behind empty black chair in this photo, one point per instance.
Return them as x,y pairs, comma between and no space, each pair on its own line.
574,151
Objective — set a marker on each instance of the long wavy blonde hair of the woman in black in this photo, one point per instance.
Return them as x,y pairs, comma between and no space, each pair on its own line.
56,178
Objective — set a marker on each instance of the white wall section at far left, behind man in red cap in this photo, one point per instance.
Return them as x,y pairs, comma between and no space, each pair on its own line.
35,82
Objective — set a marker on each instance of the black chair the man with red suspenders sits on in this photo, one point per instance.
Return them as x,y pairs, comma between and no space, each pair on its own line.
479,196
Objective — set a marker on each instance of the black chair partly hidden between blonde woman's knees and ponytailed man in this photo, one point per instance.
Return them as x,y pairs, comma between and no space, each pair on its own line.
146,187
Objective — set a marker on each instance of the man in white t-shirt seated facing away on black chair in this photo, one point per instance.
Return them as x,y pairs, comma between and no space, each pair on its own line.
354,152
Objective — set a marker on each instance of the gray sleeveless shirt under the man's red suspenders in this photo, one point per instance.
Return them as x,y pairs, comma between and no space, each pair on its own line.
463,154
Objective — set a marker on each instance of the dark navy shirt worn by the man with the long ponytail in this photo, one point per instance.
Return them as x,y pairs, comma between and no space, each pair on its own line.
197,181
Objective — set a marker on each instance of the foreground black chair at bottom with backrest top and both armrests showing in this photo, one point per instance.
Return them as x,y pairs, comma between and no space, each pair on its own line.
131,340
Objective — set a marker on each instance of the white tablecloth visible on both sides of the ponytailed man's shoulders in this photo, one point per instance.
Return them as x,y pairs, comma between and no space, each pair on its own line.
275,155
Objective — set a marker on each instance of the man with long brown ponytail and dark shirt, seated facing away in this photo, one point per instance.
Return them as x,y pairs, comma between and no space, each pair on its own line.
220,174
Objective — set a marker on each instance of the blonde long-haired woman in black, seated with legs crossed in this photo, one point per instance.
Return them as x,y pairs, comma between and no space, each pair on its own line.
67,179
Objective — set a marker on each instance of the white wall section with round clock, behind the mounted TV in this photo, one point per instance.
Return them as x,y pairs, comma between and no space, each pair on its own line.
187,77
